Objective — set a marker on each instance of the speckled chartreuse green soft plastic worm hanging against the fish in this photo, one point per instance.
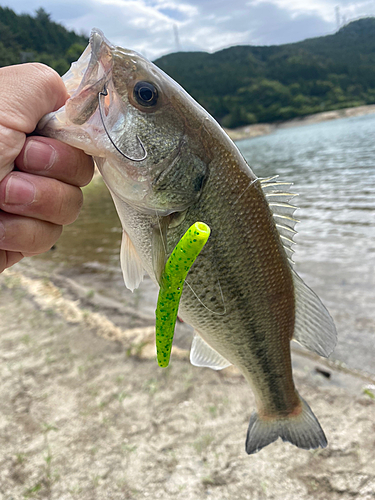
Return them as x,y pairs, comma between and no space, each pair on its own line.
171,285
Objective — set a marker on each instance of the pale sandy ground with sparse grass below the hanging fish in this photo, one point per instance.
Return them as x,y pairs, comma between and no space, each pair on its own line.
87,414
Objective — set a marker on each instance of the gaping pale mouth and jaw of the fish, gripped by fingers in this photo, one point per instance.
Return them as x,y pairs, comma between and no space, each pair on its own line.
94,116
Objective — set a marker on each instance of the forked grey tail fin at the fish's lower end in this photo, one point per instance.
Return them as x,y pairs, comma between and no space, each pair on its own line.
302,430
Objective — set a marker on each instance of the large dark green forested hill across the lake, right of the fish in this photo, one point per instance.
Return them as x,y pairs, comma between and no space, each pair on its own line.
248,84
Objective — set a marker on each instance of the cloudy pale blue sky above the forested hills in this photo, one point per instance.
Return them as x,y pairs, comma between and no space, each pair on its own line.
158,27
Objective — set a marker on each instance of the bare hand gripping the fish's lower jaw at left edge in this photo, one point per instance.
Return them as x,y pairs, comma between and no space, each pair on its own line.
39,177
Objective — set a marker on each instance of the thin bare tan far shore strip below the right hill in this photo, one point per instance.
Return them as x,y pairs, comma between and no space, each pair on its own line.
258,129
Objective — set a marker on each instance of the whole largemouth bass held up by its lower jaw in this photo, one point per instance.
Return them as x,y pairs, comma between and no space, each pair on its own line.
167,164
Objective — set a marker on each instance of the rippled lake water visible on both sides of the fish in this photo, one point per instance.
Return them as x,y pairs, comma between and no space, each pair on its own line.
332,166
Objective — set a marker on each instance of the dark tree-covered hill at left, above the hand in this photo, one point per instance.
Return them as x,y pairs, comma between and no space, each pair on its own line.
36,38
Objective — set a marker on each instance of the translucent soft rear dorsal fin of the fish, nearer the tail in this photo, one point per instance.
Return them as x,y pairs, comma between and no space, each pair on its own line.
314,328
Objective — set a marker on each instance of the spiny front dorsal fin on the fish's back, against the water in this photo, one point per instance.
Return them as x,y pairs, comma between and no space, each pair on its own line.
278,197
